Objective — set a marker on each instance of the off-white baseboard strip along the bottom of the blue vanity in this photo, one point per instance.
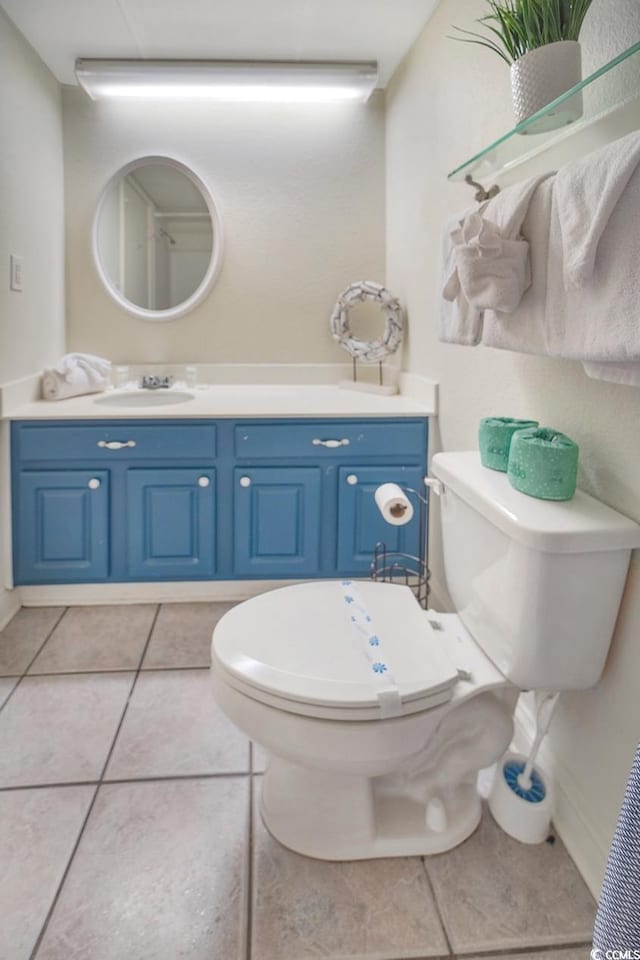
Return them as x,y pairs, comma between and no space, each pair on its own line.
95,593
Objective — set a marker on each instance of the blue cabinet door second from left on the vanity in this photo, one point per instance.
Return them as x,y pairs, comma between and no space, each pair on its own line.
170,516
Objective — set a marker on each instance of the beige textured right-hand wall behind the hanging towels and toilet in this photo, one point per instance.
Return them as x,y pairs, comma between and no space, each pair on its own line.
446,102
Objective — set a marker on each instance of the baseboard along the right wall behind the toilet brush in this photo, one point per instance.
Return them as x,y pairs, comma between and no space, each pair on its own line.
574,823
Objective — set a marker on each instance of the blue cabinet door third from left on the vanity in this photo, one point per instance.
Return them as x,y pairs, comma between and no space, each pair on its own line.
277,521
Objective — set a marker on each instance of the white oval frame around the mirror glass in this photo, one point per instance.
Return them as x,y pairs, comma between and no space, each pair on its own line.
217,252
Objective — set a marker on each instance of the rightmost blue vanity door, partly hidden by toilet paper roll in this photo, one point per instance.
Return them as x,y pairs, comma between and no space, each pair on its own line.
360,523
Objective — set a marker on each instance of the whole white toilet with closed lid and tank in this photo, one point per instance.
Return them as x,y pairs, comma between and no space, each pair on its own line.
378,715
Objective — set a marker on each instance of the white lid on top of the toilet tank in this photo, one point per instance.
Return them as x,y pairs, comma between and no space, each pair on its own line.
580,525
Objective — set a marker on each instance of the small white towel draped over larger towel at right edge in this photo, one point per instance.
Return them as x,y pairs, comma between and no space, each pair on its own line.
587,192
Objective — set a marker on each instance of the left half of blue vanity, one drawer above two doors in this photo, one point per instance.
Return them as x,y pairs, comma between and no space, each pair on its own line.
120,500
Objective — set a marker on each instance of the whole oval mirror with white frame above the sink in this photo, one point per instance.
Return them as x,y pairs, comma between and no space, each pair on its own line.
157,238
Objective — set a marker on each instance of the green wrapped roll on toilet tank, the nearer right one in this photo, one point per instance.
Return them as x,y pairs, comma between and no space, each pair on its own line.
543,463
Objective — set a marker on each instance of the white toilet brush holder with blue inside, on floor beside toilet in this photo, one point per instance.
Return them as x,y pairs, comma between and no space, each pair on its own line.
525,814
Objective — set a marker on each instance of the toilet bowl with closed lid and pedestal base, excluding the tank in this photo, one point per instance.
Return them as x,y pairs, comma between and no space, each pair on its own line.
344,782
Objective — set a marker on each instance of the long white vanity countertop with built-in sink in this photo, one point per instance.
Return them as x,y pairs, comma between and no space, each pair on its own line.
234,400
